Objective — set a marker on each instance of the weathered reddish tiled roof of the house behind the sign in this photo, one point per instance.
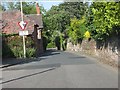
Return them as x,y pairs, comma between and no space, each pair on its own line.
10,21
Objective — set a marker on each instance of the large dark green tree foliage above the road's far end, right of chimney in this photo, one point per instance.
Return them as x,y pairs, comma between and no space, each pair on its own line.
58,19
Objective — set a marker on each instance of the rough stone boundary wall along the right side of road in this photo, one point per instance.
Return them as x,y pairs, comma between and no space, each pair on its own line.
107,52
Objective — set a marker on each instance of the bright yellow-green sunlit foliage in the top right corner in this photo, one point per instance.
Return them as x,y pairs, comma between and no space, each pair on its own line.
106,17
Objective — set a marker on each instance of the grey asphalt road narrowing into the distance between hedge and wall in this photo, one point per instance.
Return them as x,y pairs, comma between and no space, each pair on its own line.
57,69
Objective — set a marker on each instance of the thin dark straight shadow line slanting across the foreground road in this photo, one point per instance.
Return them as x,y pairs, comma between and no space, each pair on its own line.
26,76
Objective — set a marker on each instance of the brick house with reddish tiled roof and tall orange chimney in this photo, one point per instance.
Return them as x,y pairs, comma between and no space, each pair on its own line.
10,25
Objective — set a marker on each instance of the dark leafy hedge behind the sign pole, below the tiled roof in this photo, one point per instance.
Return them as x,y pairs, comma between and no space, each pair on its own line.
13,46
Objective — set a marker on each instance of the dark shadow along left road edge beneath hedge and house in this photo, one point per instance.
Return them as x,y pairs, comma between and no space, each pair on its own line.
7,62
